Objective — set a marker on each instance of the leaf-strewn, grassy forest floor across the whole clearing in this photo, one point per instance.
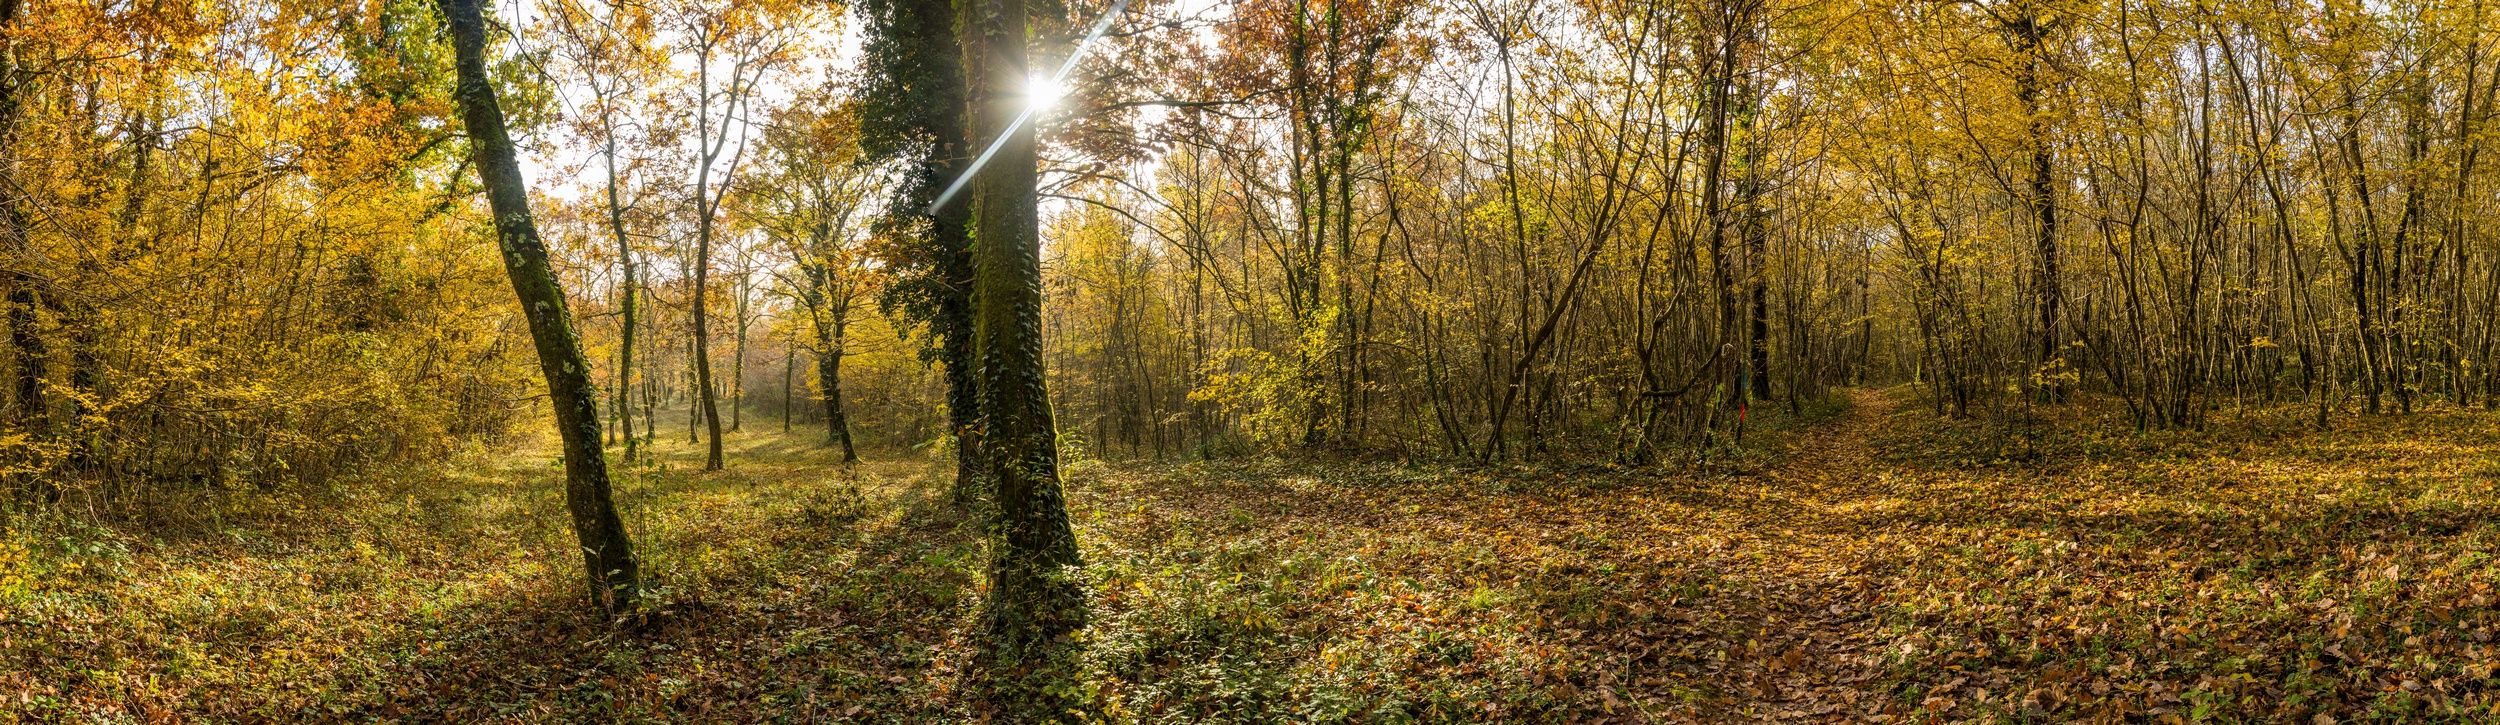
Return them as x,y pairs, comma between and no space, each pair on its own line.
1866,564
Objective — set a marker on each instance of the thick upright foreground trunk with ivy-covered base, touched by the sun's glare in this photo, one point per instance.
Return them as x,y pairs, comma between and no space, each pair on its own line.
1034,596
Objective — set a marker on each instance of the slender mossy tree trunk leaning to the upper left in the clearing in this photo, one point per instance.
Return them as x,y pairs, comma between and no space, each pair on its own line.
606,551
